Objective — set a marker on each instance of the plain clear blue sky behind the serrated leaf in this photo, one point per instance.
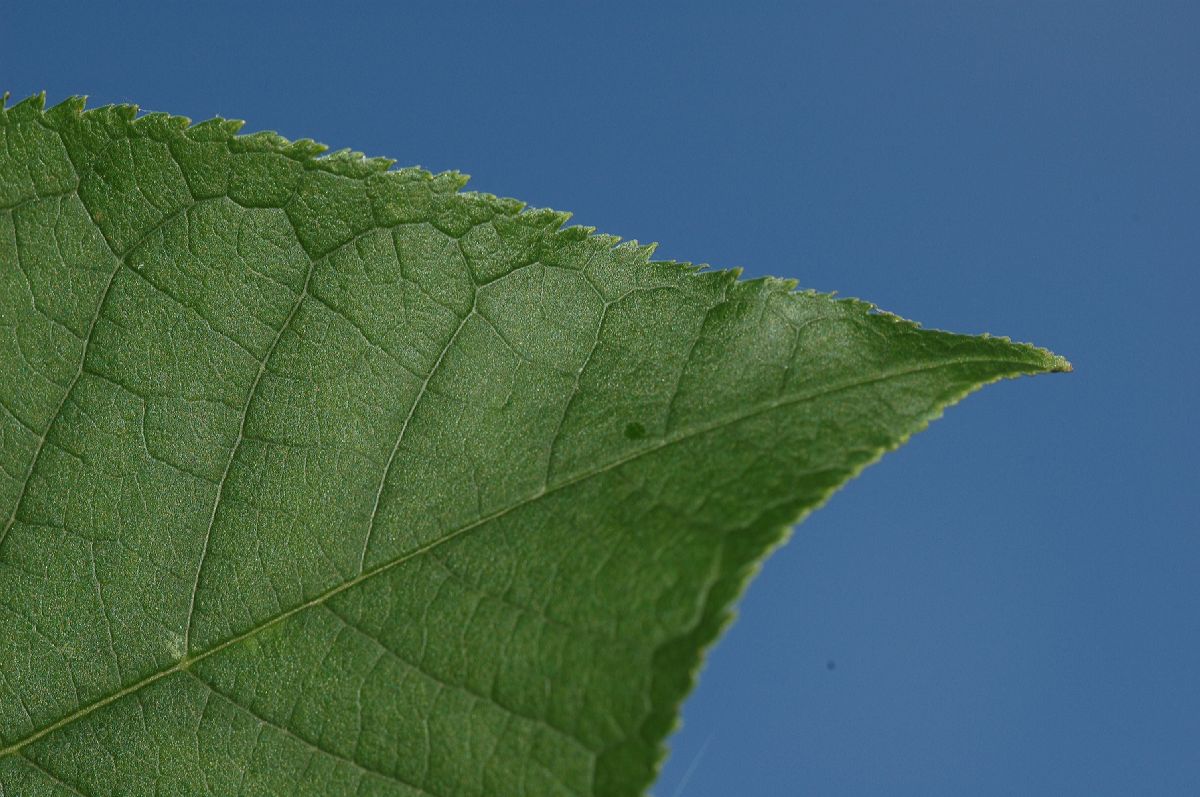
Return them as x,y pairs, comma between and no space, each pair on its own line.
1009,606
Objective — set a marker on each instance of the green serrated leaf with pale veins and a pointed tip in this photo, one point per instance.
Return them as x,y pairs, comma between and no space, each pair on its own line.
322,478
